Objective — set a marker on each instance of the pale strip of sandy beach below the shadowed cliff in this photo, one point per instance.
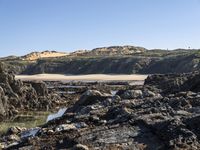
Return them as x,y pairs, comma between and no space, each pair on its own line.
91,77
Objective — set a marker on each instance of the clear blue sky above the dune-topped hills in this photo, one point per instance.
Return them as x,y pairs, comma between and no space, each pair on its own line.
66,25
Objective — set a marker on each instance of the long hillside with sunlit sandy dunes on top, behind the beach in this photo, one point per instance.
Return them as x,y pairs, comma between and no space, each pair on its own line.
107,60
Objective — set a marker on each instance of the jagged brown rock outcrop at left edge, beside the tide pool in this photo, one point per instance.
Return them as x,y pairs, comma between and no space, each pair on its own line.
16,95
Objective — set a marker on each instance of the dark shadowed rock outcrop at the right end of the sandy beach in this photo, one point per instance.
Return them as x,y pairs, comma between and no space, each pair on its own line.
172,83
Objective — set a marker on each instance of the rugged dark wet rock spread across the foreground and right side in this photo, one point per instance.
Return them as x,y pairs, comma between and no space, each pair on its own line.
133,117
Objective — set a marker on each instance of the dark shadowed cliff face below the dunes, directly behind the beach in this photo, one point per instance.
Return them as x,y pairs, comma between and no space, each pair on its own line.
116,65
